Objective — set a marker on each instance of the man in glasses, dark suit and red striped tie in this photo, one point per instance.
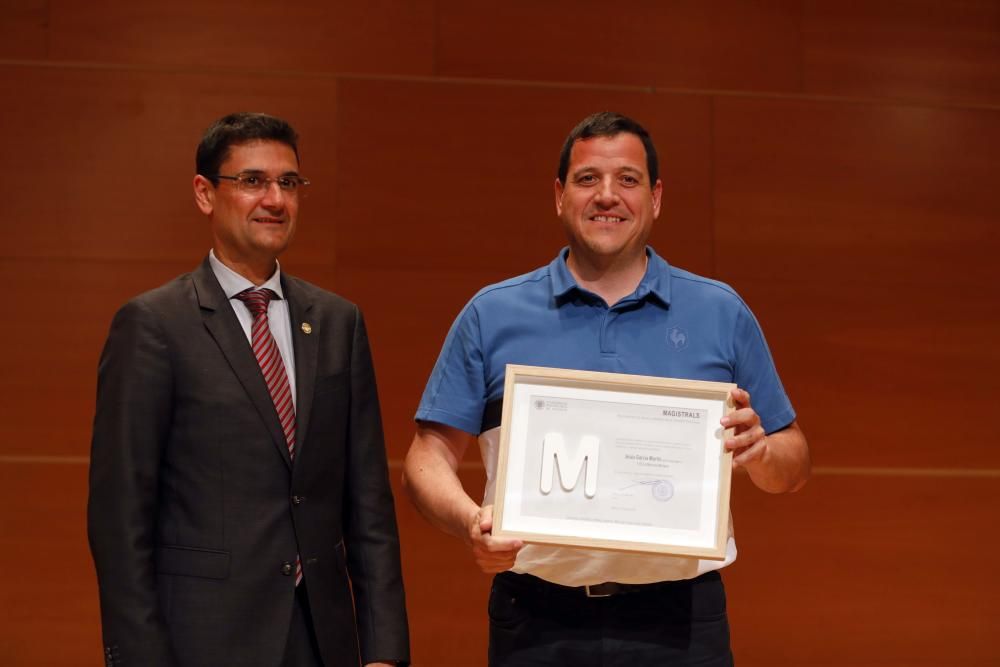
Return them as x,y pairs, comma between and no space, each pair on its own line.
240,511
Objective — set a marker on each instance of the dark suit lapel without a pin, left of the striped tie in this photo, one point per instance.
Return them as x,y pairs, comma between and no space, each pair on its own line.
221,322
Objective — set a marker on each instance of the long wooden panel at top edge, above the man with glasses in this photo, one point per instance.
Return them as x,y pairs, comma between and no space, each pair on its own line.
386,36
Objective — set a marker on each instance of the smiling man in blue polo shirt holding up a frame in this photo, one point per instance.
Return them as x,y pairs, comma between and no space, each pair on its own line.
607,302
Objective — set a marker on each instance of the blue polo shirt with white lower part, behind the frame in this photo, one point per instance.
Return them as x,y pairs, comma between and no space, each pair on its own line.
675,324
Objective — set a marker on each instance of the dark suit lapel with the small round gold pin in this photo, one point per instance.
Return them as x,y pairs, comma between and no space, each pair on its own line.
305,343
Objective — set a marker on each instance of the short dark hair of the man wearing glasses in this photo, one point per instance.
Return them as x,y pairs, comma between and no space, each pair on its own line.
236,129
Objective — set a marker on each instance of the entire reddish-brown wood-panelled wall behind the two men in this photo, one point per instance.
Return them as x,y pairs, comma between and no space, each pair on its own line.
835,162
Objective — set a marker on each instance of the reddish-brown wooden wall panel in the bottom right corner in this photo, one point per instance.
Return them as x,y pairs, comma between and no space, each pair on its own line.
883,570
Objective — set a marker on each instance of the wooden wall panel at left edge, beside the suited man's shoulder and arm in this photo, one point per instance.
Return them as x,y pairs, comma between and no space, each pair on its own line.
64,311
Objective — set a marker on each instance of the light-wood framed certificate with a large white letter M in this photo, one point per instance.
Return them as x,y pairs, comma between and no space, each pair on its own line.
613,461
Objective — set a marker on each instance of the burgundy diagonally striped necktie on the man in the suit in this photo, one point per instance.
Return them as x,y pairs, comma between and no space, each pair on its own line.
273,368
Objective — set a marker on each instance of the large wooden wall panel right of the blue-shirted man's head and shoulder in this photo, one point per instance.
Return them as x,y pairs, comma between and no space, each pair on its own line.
864,239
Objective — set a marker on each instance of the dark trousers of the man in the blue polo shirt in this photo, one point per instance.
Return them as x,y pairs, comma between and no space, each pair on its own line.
534,623
